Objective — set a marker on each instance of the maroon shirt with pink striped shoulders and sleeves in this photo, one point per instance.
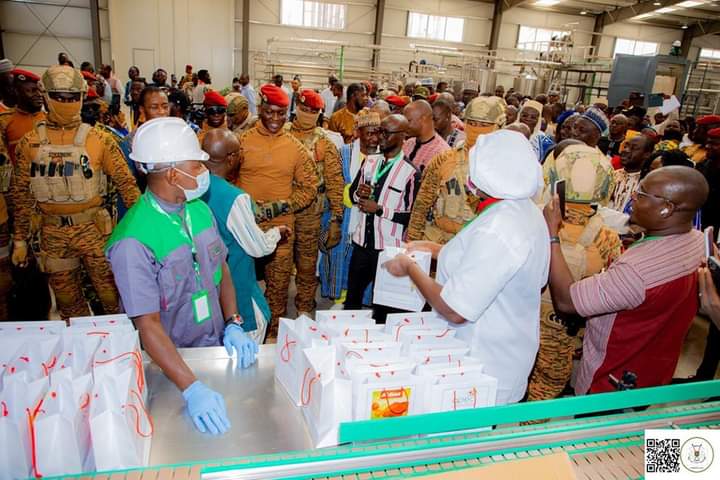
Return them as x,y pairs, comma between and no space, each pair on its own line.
638,312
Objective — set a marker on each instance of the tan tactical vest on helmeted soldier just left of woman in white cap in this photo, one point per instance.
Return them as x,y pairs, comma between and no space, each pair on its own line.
451,210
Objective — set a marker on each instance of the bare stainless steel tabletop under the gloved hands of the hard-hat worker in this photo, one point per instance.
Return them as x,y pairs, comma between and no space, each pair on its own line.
264,419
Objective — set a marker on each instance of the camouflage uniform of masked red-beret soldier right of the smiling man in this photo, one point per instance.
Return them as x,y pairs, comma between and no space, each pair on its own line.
307,220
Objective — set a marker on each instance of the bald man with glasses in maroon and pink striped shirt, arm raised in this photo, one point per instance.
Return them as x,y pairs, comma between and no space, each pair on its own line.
640,309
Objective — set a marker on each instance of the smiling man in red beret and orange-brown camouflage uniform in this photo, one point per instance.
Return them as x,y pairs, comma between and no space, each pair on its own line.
280,175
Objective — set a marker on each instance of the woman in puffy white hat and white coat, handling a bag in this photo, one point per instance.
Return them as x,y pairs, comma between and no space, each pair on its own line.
489,276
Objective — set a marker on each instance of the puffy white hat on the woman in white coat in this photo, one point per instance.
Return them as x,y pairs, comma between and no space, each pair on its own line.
504,165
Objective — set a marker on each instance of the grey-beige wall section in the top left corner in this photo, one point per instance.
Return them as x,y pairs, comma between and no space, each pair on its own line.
34,33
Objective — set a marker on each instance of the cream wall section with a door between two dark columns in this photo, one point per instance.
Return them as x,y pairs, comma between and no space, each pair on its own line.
172,33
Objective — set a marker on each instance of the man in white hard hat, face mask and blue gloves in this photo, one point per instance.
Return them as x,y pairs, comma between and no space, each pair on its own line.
169,264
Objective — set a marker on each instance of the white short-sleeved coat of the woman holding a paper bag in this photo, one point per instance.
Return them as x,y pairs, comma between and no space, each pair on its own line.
492,273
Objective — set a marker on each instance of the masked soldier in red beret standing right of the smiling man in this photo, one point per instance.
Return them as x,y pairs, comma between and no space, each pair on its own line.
330,189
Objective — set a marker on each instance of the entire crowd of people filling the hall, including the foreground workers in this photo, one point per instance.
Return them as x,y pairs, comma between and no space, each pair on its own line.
175,213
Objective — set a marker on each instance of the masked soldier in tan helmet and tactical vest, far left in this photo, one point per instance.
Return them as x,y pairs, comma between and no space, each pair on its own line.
61,173
